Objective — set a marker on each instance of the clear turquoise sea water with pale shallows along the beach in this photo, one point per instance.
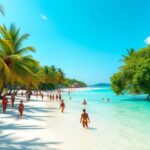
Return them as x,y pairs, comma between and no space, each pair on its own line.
125,120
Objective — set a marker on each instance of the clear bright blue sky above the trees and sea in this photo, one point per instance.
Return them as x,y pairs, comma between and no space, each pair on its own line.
85,38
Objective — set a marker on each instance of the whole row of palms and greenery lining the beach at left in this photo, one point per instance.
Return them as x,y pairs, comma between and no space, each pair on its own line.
18,69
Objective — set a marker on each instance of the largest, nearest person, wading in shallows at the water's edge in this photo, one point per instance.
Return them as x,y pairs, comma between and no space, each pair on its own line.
84,119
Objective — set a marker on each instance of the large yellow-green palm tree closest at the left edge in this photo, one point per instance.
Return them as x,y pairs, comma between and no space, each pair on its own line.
14,63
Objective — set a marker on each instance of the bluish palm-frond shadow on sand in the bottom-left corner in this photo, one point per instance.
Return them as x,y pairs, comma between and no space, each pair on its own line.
9,142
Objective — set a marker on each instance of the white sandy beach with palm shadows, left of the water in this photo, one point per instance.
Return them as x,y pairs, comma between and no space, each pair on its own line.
43,127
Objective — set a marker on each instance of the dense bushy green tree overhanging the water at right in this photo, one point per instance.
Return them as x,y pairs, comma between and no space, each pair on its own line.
134,75
